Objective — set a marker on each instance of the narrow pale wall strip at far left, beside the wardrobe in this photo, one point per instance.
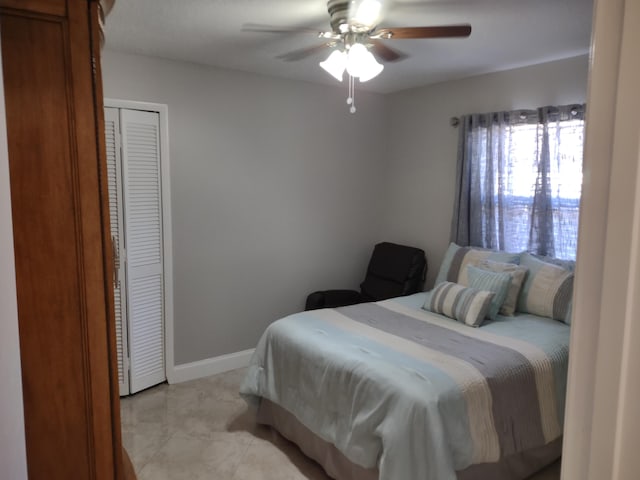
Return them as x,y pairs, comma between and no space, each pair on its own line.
13,460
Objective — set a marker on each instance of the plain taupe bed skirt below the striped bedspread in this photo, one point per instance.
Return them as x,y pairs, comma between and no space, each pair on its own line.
515,467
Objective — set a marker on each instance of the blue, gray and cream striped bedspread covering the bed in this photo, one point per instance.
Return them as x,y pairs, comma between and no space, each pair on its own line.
416,394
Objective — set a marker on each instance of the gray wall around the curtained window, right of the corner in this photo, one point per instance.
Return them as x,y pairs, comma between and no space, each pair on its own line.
422,144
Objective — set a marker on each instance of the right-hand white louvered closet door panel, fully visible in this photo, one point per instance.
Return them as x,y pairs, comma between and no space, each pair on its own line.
143,225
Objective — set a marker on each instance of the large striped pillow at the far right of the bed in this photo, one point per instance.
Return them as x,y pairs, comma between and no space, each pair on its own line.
548,289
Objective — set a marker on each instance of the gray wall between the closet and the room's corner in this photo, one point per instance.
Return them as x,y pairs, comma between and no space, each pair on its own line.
276,192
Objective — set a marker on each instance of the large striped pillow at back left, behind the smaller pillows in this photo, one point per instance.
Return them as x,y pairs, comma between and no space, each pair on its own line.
453,267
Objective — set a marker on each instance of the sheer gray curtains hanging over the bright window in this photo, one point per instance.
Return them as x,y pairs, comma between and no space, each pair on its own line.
518,180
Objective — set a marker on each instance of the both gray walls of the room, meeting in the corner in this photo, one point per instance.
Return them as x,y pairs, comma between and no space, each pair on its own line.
278,191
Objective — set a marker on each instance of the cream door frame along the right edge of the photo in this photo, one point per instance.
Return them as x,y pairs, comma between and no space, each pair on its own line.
601,427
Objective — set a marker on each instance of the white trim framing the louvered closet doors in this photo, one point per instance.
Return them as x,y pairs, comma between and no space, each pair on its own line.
165,171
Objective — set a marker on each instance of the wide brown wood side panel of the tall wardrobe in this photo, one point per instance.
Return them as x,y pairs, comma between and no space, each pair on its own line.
24,70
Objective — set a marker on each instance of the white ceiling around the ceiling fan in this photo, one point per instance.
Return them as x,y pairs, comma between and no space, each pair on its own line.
506,34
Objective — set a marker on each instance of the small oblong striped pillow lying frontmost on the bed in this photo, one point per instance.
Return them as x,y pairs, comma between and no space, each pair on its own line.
464,304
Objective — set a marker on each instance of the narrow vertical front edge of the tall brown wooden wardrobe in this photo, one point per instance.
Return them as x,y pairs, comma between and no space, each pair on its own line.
82,70
